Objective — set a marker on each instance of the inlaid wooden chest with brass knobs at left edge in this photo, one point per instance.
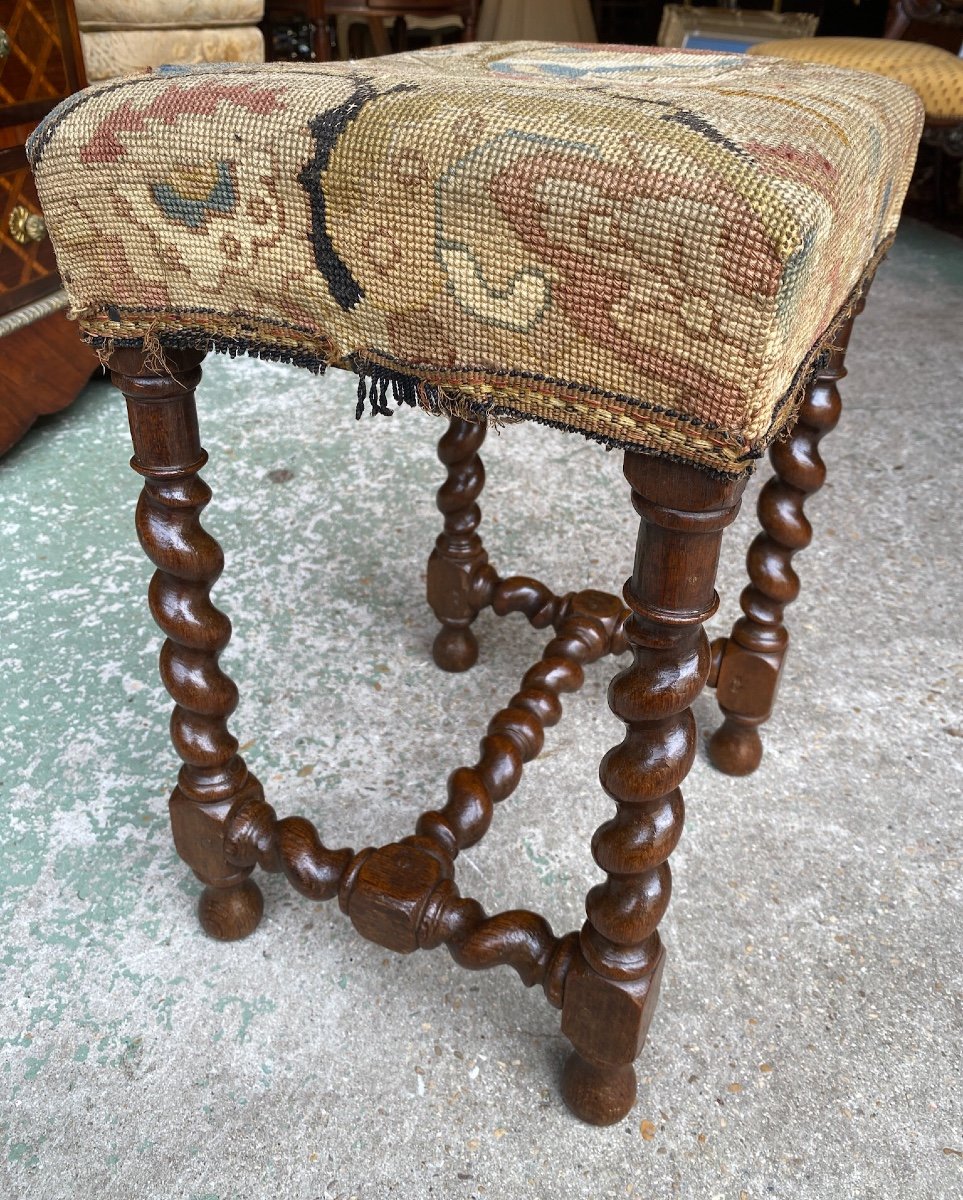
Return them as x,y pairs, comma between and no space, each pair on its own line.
41,363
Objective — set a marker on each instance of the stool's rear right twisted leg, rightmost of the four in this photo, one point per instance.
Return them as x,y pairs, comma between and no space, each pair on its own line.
747,665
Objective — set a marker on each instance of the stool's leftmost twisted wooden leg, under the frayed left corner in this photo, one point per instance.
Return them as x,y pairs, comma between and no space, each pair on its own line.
214,777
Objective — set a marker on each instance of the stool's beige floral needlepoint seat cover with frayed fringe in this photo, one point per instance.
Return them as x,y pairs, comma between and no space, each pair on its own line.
645,247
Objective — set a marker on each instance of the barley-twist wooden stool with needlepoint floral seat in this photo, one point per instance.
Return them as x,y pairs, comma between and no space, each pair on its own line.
660,250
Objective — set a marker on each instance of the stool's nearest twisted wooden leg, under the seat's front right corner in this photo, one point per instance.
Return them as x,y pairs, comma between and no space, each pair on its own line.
613,986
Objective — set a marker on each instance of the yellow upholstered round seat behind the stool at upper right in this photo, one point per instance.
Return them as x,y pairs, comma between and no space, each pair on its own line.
936,75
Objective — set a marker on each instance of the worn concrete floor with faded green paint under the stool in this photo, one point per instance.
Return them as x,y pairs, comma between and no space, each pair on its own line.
809,1040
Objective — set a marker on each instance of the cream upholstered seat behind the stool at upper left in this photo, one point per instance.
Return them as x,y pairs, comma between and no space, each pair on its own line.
127,37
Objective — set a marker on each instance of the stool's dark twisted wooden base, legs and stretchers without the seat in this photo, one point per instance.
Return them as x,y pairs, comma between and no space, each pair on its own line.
404,896
